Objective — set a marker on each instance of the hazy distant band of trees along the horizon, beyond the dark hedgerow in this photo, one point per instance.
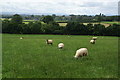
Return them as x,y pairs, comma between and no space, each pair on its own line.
76,18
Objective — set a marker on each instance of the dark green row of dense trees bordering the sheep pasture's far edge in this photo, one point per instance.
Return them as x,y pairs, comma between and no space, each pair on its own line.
16,26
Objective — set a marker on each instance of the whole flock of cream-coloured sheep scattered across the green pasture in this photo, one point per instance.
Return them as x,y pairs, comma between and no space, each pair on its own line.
79,53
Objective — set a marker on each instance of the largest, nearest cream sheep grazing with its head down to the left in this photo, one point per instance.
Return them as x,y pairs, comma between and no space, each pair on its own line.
81,52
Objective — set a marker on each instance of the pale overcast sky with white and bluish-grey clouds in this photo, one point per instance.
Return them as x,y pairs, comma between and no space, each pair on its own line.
77,7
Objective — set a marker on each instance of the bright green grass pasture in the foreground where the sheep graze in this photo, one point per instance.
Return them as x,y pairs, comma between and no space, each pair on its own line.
32,58
